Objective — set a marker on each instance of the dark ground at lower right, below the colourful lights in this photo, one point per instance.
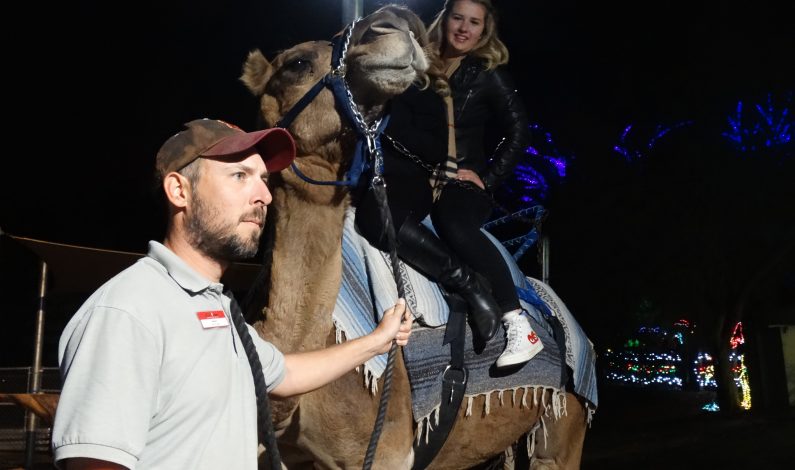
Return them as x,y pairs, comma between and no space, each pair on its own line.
647,429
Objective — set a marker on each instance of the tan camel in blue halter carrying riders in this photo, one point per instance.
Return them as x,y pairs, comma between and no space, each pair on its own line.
330,427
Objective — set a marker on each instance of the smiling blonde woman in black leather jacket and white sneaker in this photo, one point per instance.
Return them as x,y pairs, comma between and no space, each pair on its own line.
484,100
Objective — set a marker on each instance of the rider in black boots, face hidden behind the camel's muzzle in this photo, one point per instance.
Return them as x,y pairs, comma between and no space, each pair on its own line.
416,138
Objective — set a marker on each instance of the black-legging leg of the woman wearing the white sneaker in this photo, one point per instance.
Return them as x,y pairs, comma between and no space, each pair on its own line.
457,217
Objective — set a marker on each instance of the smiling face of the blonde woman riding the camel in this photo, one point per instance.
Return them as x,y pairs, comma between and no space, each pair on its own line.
463,28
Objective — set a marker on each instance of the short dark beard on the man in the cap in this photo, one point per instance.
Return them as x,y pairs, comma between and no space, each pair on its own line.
217,239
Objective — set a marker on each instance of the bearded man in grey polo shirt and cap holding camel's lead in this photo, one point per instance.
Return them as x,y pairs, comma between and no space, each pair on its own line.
154,375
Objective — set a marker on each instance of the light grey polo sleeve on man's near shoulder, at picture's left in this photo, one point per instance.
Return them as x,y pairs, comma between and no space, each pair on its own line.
109,365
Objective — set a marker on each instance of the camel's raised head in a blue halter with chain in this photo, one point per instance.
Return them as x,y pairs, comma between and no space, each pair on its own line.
382,59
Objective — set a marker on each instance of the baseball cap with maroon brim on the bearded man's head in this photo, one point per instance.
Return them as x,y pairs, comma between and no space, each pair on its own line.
215,138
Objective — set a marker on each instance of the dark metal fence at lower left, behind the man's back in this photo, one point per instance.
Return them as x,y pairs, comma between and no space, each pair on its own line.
13,433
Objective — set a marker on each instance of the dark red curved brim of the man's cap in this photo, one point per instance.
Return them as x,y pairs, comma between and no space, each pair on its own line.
276,147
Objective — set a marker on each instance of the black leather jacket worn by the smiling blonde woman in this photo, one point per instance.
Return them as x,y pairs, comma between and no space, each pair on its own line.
483,99
